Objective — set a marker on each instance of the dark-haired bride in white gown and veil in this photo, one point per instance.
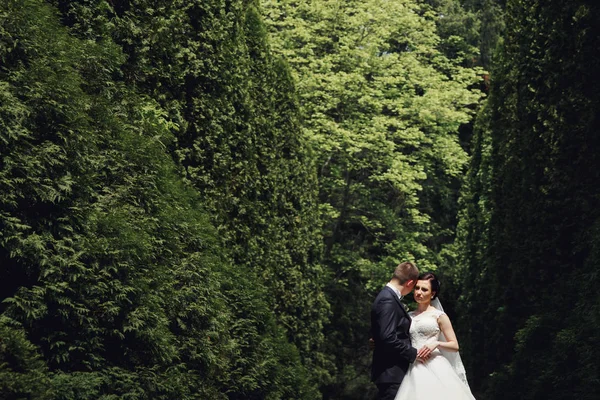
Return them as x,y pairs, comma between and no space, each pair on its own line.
442,376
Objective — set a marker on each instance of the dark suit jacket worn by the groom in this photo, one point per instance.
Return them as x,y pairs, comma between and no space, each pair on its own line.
389,329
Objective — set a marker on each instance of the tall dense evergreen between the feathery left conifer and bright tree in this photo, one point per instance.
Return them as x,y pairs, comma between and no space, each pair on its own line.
208,65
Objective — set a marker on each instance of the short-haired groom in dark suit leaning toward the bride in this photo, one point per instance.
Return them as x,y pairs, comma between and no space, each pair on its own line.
389,329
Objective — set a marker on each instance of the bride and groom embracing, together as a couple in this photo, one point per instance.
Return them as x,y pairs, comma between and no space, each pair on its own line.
415,353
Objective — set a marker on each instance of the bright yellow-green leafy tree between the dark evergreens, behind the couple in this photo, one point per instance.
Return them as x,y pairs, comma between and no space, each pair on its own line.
382,106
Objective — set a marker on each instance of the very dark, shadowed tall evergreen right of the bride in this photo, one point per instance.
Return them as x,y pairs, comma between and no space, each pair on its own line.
531,216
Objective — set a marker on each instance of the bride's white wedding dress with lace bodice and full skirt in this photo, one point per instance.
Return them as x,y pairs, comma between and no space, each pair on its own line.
435,378
